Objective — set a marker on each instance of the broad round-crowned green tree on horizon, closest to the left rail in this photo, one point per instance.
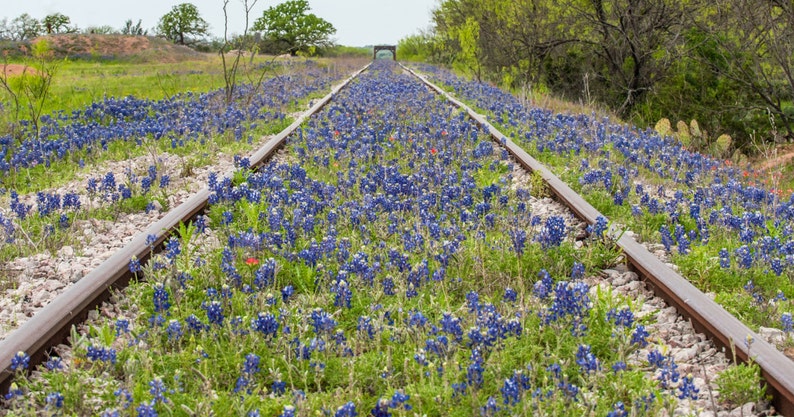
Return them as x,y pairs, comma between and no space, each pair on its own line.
288,27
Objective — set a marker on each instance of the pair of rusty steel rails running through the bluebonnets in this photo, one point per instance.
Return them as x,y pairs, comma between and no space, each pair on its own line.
52,325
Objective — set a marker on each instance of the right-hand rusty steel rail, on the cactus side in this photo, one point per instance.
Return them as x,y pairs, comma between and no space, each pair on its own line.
705,314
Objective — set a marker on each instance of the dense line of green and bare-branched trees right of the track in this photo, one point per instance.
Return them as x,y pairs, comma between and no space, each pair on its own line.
728,64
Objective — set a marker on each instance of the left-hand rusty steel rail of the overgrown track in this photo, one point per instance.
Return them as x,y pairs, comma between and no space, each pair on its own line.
52,325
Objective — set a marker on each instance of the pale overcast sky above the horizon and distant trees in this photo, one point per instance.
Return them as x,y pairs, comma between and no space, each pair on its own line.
357,22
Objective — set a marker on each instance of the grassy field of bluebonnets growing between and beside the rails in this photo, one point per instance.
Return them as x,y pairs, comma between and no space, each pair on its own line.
390,260
